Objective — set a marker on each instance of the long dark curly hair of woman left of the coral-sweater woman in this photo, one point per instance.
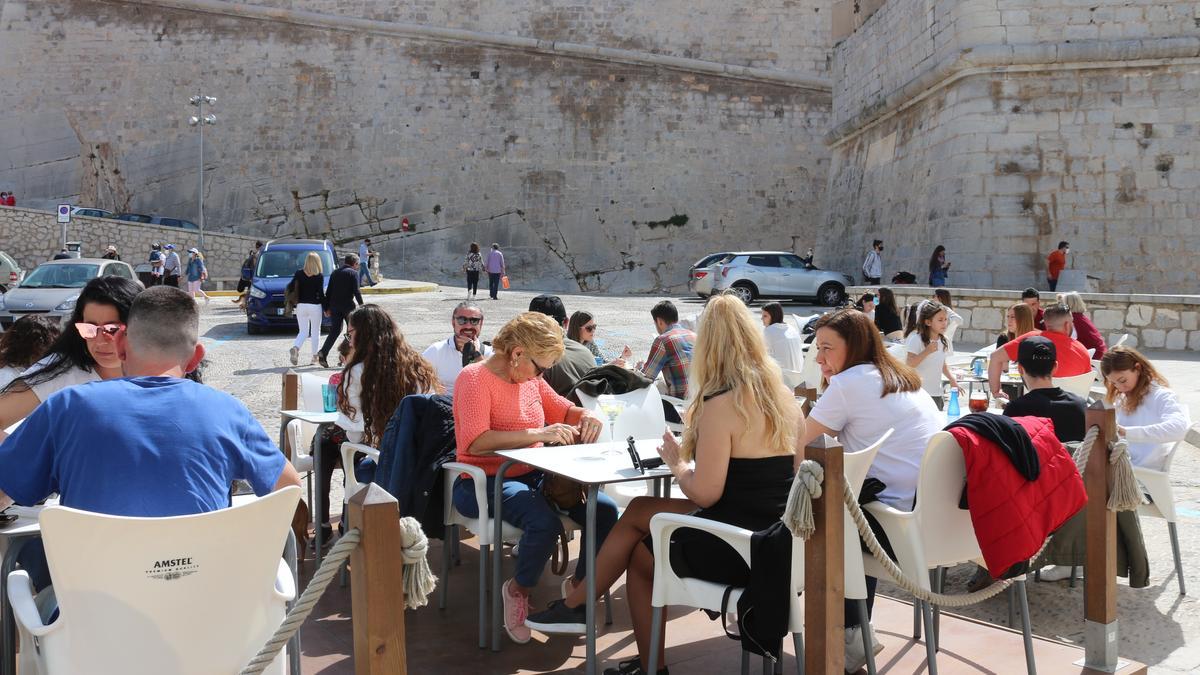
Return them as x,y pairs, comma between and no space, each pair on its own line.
392,371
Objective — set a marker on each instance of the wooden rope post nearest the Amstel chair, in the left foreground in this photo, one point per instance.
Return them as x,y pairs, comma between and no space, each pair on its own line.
377,584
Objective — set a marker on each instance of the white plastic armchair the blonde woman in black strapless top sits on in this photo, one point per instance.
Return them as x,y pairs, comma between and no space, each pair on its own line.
670,589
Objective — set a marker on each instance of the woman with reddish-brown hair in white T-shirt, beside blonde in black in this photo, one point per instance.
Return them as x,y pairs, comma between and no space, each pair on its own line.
869,392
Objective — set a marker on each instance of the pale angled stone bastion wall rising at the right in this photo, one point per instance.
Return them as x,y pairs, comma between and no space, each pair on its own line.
999,128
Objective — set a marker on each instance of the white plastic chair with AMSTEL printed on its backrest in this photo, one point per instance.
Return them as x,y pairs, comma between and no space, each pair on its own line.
191,595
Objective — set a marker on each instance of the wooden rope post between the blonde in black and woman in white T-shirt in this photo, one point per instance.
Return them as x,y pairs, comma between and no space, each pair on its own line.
825,576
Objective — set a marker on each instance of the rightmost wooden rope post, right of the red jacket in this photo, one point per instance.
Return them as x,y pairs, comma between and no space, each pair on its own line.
1101,553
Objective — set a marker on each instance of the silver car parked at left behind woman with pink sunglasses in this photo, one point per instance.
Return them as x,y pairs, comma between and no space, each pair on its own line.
55,288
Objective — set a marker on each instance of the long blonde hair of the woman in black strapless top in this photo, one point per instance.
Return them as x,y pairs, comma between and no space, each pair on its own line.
731,356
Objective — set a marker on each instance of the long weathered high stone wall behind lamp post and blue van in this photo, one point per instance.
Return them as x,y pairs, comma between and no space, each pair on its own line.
592,174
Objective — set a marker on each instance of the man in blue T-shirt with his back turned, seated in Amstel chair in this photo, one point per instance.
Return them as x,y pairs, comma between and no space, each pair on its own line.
115,447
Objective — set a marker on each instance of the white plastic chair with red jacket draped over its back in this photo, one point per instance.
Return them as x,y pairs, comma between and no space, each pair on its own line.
938,534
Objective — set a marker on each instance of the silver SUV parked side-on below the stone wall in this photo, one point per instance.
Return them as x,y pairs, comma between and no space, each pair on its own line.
778,274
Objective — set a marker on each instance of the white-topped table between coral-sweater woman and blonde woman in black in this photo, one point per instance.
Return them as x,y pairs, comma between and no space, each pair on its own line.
593,465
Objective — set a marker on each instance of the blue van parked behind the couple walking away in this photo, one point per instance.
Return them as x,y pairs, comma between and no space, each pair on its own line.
278,264
